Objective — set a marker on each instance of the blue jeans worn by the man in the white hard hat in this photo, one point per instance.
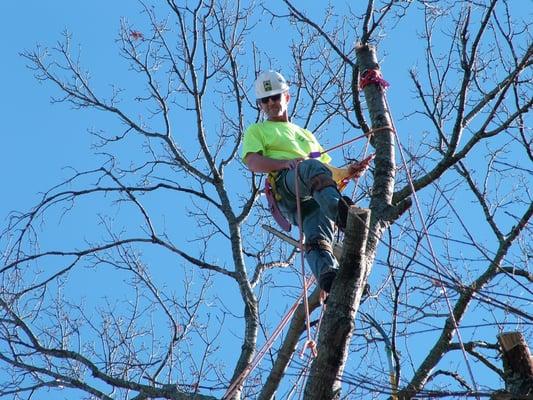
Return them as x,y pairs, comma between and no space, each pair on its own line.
319,210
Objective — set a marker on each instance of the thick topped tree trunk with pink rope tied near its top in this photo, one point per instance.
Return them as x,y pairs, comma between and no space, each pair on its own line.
363,233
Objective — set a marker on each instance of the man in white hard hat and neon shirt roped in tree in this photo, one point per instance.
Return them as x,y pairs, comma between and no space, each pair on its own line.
282,149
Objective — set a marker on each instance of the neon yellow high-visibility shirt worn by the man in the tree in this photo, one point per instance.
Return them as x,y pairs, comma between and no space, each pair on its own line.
281,141
